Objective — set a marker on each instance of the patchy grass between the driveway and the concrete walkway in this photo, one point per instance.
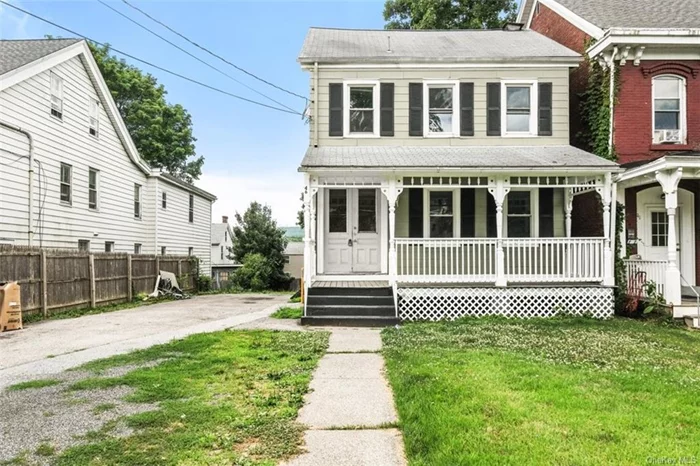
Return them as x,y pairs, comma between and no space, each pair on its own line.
228,397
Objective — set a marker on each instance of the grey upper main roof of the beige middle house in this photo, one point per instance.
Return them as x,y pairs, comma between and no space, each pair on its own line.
370,46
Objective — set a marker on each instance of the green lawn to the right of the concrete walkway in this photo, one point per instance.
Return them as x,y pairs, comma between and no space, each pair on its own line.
561,391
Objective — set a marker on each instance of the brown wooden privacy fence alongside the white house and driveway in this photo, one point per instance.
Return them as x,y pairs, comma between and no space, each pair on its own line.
53,280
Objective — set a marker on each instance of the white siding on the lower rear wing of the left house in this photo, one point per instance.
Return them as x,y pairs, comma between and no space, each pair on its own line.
175,231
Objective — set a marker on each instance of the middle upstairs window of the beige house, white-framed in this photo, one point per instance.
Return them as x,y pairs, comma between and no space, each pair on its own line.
441,116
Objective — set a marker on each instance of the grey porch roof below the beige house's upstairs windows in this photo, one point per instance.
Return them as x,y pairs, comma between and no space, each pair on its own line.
454,157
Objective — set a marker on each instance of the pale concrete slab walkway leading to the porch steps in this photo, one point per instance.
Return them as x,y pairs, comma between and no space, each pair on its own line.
350,409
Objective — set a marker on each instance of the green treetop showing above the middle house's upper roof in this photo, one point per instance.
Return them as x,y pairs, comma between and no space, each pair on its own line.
448,14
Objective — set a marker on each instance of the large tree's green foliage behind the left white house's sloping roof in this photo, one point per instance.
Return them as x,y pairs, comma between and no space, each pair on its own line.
162,132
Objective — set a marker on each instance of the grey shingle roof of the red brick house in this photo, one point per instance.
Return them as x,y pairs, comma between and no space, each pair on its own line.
672,14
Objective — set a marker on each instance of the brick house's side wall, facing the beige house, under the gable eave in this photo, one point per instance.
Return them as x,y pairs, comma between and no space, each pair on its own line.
550,24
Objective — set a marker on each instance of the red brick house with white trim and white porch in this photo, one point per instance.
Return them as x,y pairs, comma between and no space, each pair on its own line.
654,48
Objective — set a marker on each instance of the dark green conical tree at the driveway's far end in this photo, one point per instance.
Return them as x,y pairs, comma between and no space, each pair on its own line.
256,233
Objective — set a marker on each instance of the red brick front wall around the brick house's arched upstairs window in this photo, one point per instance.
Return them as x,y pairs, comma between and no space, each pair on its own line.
633,132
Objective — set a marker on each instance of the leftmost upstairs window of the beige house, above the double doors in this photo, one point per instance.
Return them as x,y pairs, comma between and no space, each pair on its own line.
362,104
